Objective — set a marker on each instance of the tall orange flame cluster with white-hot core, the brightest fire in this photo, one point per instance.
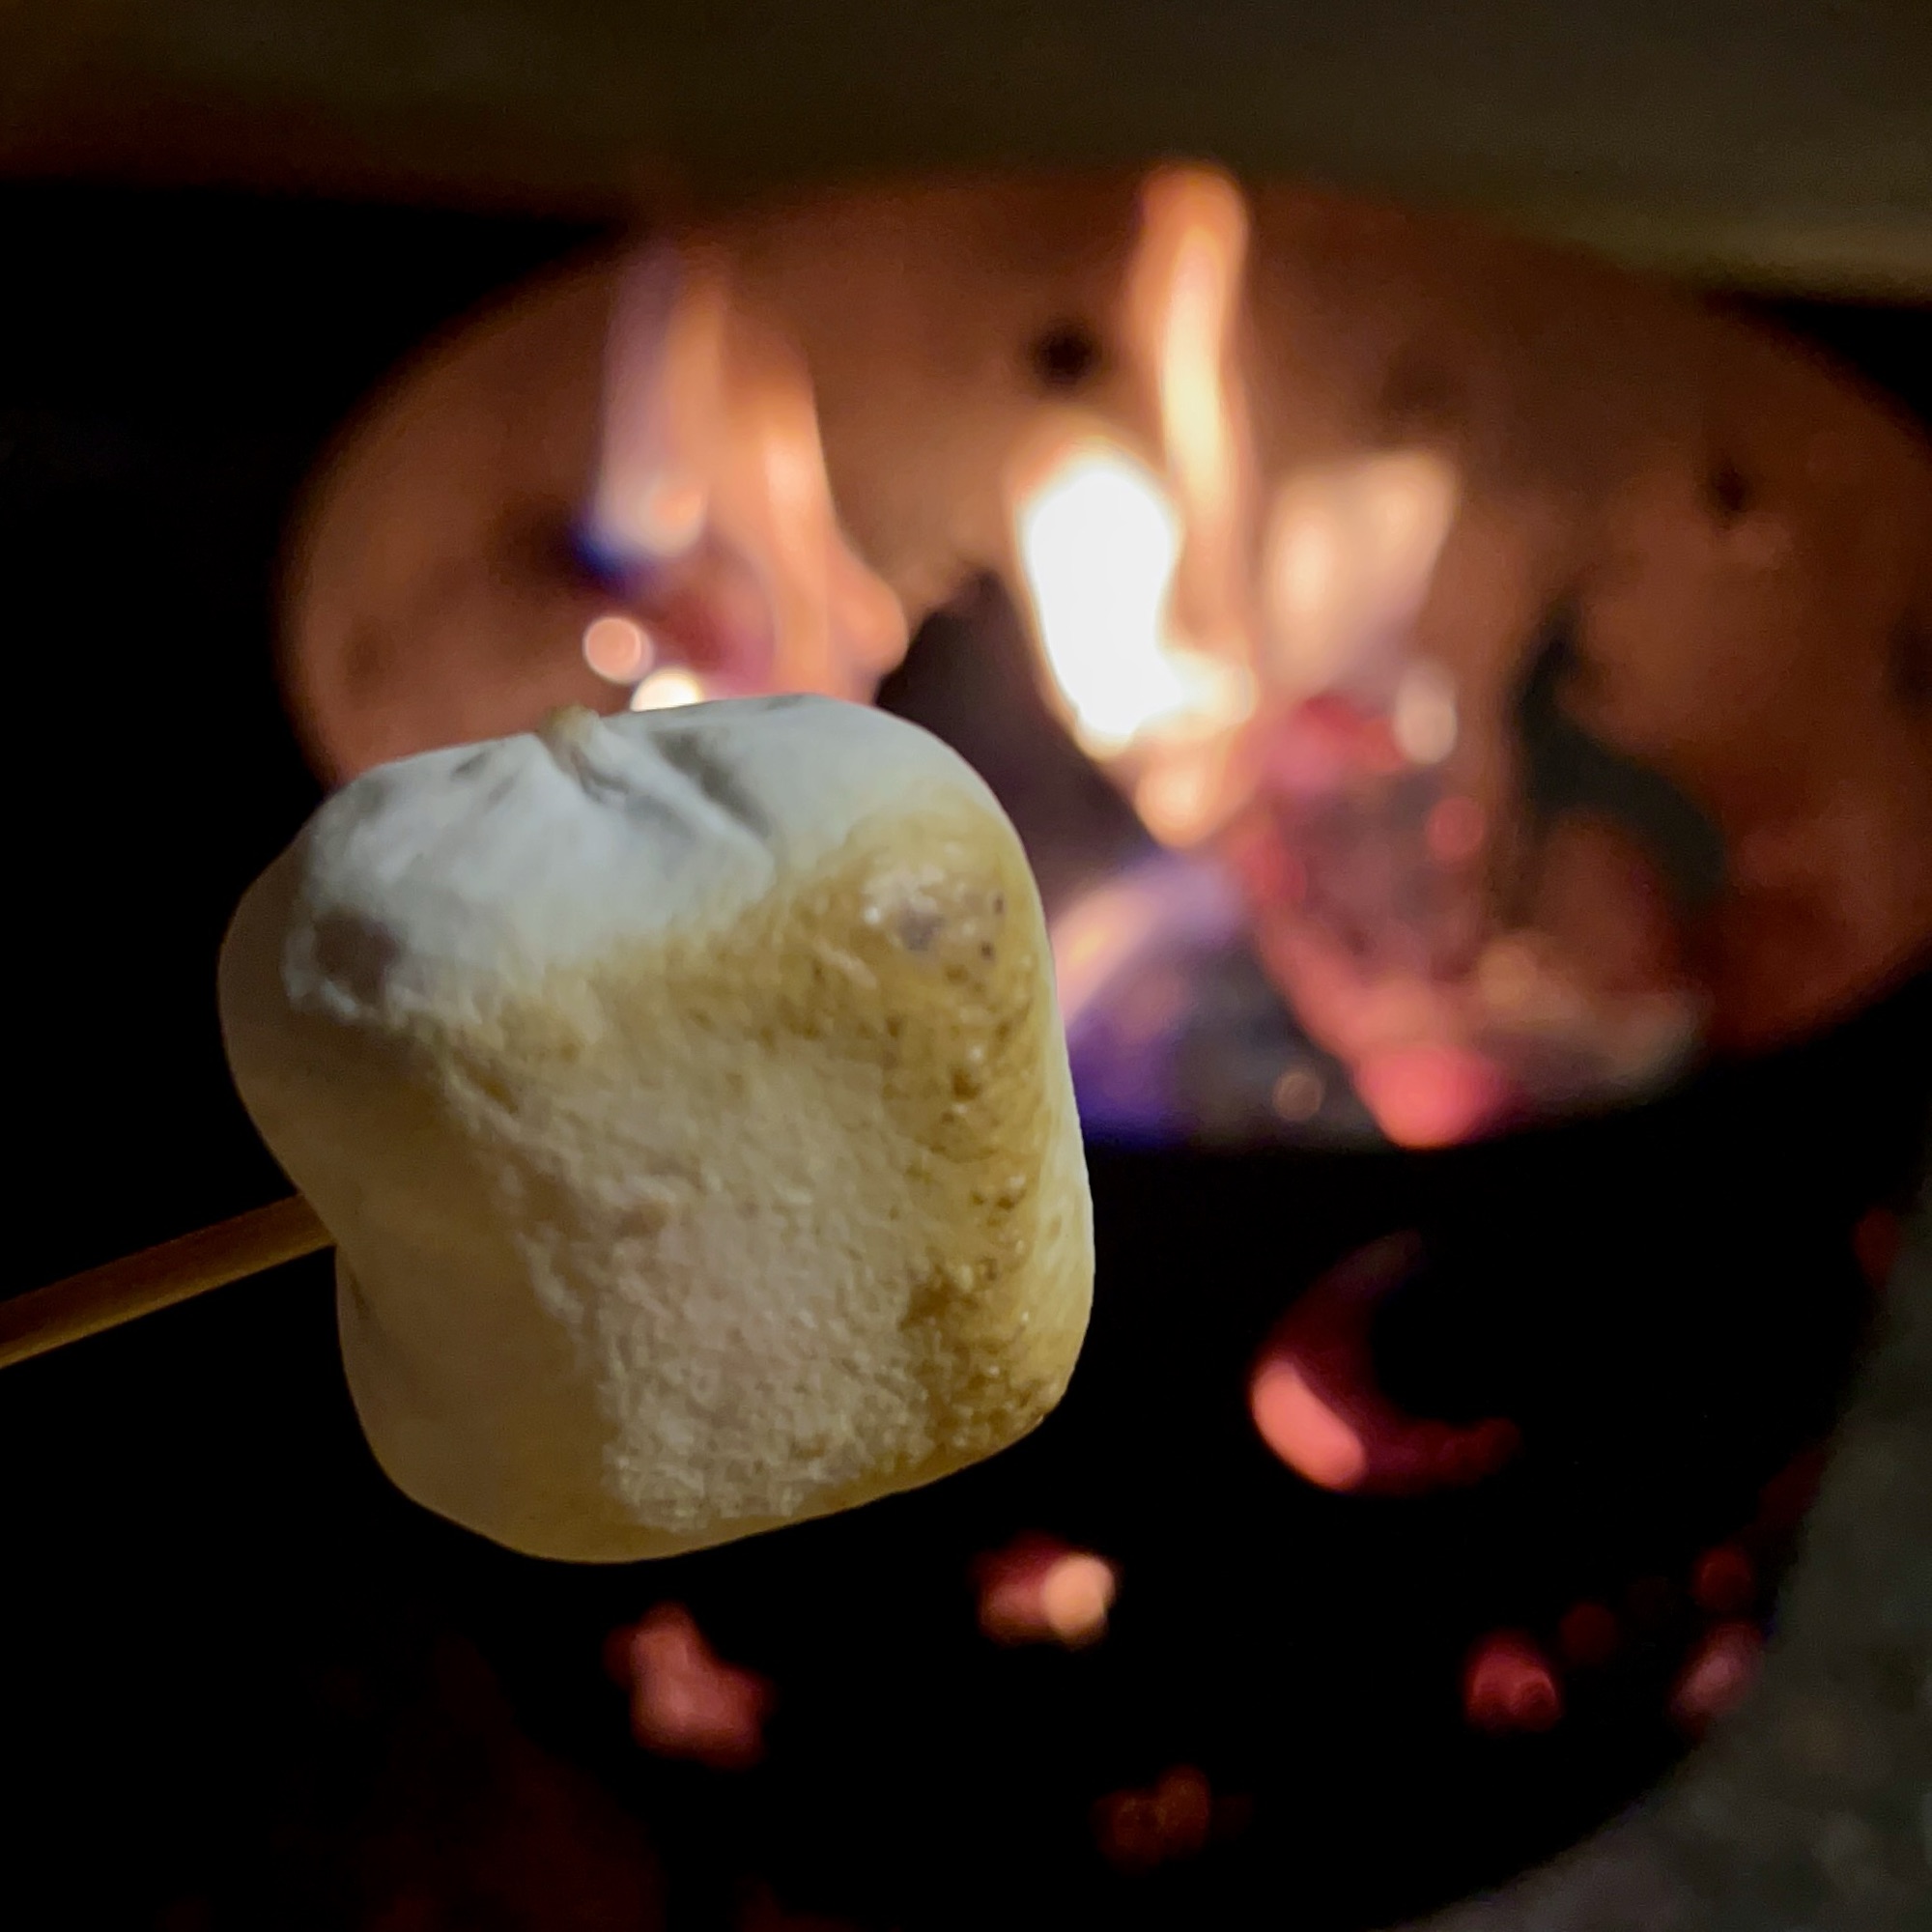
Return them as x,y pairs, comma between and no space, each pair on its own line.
1156,623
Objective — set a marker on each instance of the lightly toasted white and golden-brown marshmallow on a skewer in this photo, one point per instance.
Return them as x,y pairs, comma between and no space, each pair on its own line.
689,1100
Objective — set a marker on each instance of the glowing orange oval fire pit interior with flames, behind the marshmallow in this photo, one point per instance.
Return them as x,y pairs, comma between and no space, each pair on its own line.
1419,698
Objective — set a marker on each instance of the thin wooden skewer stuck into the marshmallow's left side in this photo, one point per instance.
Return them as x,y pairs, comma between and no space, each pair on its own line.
157,1278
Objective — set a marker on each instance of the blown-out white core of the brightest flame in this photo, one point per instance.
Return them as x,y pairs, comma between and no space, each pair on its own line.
1100,544
